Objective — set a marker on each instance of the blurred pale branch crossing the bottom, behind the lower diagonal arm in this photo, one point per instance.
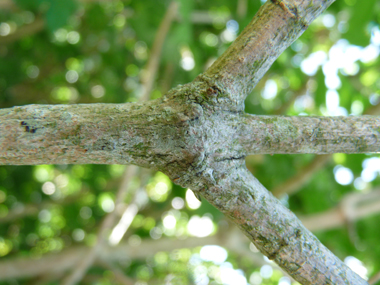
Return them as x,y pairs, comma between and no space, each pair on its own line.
19,267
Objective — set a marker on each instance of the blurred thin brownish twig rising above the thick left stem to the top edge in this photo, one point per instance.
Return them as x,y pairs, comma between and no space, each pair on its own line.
150,72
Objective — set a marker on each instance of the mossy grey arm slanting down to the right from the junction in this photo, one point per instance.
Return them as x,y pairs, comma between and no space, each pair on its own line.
274,230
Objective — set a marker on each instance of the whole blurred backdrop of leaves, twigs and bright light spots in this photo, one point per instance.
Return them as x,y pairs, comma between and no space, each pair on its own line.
112,224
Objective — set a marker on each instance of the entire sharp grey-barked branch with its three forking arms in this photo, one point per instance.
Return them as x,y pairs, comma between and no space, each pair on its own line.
196,135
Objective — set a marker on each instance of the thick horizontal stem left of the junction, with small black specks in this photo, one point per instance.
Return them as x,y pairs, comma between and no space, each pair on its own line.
148,135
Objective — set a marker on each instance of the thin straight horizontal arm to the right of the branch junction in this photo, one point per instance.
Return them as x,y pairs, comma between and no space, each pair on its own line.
319,135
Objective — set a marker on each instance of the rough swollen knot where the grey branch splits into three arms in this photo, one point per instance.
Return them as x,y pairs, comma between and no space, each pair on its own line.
209,134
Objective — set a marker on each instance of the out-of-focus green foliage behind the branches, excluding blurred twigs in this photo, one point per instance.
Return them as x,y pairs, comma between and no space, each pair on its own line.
96,52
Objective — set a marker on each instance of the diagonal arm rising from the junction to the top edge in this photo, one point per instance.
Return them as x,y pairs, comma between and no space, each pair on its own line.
276,25
